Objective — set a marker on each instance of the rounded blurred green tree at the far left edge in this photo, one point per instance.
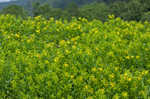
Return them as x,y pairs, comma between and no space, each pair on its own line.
14,10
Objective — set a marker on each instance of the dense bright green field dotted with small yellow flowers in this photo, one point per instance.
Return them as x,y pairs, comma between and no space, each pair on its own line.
80,59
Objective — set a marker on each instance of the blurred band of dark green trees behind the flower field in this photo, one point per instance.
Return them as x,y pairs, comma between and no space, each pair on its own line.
138,10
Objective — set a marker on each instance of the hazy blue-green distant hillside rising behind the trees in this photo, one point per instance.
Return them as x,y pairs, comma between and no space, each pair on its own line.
54,3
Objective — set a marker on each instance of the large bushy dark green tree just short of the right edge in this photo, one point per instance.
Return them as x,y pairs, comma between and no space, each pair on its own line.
131,10
